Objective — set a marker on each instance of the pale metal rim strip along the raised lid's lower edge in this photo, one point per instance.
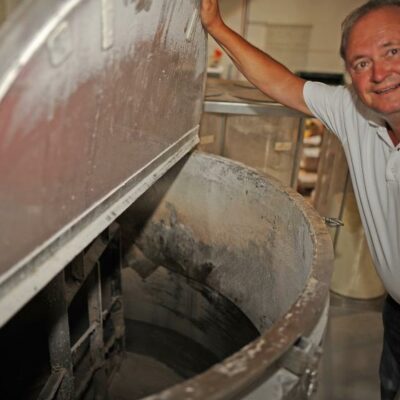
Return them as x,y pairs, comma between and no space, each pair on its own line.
29,276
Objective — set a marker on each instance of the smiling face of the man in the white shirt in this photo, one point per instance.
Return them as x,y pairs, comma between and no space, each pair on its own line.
373,60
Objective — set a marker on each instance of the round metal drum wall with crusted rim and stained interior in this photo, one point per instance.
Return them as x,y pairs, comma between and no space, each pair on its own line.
255,242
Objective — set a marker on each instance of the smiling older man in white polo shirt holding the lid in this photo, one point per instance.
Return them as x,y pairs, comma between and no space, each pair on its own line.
366,118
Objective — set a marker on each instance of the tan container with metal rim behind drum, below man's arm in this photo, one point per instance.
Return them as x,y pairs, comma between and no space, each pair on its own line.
243,124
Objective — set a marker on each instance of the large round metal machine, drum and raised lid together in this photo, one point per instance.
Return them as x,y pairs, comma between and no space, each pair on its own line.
132,266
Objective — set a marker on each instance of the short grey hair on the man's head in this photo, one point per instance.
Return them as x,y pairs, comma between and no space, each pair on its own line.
355,15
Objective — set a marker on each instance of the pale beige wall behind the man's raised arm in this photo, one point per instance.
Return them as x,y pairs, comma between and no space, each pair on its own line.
322,17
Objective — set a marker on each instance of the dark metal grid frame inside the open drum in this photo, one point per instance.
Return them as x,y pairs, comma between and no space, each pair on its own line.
86,269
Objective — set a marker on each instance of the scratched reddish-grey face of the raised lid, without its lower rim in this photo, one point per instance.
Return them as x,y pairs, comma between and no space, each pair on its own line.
91,92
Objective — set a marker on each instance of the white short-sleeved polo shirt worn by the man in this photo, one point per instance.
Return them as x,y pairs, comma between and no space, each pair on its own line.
374,164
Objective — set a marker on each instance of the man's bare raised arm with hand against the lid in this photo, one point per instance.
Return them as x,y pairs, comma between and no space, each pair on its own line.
271,77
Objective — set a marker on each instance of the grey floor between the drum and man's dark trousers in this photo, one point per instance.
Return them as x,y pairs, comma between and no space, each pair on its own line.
353,343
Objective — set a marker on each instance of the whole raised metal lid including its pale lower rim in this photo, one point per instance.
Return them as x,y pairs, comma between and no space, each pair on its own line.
52,41
